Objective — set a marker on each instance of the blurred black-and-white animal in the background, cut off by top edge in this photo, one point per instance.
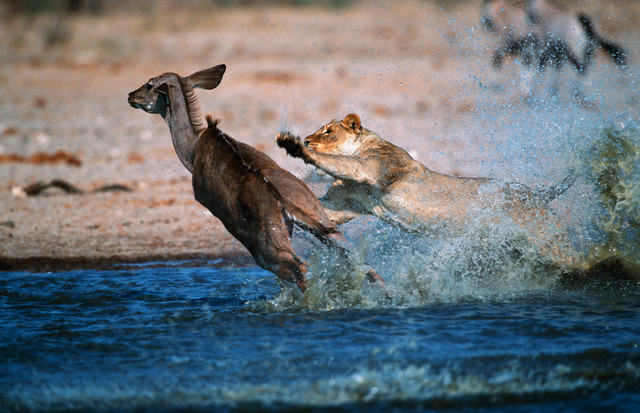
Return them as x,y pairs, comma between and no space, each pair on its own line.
543,36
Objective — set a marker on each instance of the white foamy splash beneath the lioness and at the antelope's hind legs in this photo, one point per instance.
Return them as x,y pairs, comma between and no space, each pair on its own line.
486,262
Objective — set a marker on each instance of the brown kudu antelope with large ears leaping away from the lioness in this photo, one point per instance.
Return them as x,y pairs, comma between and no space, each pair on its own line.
257,201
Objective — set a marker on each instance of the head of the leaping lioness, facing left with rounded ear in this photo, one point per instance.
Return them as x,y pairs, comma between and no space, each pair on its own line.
340,137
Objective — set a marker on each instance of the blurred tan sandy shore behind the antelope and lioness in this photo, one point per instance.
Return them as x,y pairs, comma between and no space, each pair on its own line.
410,69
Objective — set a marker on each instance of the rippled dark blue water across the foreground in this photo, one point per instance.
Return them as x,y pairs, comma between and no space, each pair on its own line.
198,338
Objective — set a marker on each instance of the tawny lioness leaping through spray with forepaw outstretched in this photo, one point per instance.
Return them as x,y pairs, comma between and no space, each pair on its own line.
376,177
